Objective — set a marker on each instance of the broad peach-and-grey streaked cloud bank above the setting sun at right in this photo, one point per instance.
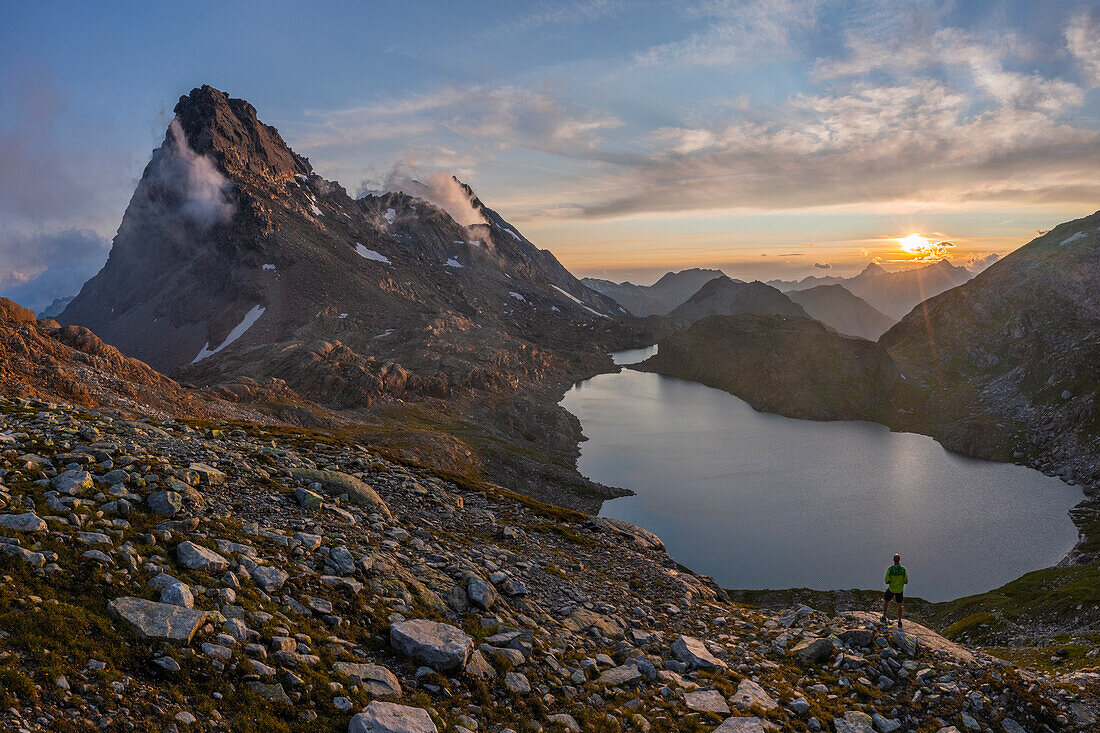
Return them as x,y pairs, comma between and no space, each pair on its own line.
918,141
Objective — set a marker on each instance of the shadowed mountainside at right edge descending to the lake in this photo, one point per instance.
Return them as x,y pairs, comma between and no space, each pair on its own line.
1020,344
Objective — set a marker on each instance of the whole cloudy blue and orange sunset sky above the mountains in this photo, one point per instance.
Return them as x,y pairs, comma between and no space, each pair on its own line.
767,138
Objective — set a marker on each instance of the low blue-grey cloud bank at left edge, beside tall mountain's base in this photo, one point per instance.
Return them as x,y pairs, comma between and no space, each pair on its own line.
38,269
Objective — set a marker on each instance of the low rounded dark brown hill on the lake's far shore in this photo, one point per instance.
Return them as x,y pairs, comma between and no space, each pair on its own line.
794,367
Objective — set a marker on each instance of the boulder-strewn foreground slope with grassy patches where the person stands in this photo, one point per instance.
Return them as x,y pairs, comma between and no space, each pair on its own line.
202,577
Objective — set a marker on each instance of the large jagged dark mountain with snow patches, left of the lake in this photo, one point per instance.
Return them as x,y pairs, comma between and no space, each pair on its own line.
235,259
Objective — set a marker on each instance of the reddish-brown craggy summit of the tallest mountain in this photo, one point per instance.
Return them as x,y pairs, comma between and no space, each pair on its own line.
228,130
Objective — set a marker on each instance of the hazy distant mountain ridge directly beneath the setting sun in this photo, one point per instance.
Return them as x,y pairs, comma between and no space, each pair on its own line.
893,293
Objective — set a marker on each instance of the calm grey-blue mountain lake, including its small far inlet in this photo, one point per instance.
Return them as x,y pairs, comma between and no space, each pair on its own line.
762,501
